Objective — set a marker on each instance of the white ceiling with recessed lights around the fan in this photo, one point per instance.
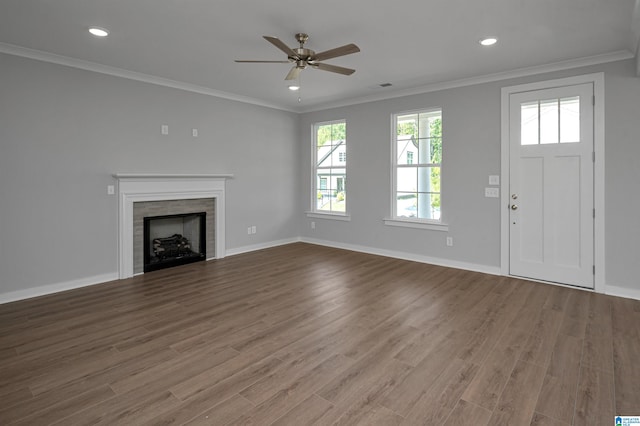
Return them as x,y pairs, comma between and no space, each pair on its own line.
409,43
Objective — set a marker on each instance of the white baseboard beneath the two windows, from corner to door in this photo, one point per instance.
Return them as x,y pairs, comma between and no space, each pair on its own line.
493,270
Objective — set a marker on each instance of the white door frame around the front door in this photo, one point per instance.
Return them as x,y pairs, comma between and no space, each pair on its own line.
598,185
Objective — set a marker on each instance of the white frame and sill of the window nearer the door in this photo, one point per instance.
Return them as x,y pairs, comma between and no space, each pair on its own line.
413,222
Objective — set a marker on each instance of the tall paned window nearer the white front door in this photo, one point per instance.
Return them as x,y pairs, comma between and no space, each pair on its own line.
417,162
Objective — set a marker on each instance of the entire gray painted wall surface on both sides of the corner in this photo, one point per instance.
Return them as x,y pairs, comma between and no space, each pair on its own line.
64,131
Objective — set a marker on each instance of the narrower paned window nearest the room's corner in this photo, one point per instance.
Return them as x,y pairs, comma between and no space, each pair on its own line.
330,167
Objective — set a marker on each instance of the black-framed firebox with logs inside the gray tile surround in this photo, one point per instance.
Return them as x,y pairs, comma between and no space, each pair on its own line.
172,240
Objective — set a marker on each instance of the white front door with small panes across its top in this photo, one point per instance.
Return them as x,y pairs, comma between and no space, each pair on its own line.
551,184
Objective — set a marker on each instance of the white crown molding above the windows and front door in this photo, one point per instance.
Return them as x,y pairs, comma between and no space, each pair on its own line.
488,78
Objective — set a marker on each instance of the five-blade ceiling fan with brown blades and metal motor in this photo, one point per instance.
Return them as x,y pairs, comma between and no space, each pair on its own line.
304,57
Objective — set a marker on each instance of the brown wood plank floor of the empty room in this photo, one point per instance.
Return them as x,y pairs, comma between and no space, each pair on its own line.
303,334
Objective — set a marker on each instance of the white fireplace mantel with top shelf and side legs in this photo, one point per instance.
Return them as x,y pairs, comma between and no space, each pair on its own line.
139,187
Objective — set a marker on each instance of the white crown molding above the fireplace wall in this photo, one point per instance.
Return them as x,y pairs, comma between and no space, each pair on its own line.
53,58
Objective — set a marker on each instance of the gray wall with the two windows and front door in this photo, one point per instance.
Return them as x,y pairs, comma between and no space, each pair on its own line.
471,152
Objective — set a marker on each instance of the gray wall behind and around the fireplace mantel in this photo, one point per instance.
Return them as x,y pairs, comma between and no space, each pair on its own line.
64,131
